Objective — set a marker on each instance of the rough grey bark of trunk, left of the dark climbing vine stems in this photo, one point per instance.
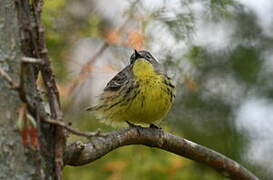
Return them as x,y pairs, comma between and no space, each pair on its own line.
14,162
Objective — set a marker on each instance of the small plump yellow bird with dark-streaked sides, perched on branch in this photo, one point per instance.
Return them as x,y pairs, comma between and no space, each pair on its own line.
141,93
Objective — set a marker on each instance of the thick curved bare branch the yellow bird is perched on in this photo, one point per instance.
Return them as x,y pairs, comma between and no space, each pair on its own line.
79,154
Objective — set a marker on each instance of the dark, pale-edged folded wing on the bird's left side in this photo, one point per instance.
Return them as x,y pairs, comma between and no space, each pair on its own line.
119,80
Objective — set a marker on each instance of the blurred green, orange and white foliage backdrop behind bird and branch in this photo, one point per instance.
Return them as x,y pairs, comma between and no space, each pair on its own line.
219,53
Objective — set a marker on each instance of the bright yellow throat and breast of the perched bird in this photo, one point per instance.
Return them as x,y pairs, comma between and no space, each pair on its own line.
153,100
